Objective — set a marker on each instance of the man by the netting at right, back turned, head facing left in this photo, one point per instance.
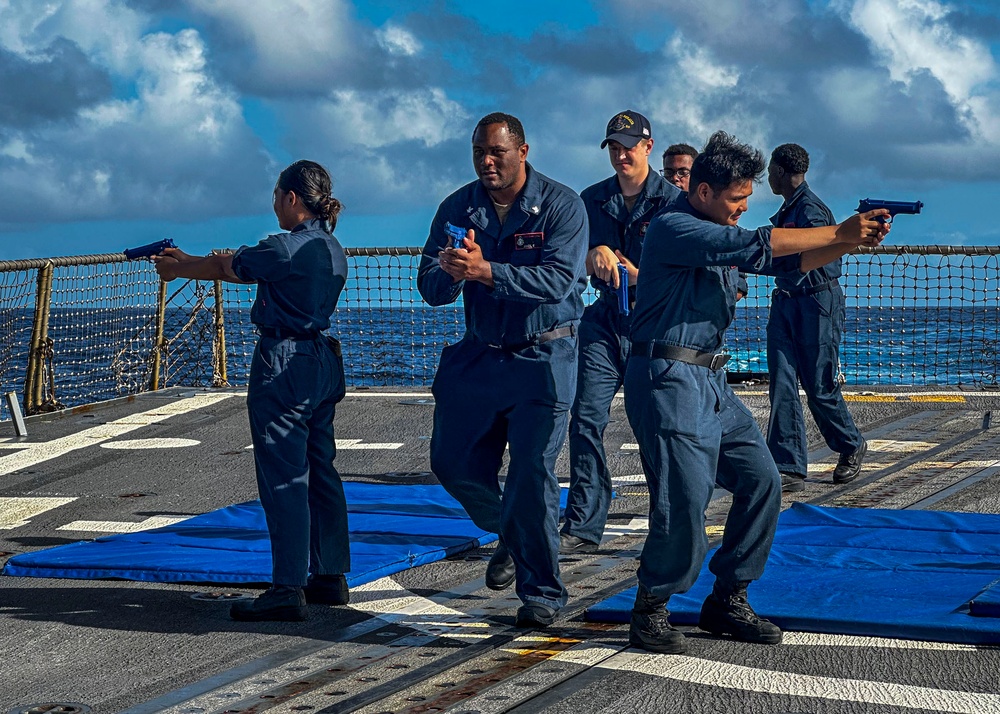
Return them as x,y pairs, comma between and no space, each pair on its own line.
803,340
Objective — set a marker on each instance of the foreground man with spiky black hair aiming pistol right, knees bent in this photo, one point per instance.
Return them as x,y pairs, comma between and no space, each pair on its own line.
693,431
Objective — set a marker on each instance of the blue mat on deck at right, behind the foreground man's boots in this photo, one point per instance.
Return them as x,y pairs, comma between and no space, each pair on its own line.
906,574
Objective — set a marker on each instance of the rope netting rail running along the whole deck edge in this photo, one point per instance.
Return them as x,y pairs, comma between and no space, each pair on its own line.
74,330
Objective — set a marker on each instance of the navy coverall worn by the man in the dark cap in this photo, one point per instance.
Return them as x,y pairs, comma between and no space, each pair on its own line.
604,347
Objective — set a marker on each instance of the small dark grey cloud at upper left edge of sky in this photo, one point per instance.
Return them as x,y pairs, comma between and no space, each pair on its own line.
50,86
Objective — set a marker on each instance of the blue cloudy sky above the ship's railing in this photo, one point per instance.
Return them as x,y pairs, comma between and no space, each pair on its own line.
127,121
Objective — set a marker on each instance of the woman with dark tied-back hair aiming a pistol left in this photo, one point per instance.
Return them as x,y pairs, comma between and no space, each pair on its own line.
296,379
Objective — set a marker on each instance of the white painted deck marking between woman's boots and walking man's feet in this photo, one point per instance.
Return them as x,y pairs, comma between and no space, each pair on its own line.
390,601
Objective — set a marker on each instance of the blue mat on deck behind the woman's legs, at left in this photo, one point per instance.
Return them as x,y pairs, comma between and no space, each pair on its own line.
392,528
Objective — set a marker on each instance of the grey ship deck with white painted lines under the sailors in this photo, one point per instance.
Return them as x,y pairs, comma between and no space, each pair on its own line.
433,638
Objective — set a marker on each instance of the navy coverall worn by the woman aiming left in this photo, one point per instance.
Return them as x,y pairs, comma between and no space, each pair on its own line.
296,378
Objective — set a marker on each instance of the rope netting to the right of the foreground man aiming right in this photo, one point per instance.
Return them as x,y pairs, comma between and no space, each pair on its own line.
924,315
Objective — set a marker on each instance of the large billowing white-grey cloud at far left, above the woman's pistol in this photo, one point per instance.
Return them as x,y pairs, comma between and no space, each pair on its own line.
177,148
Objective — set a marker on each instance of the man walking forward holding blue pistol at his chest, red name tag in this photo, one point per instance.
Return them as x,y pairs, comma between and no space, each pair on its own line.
511,379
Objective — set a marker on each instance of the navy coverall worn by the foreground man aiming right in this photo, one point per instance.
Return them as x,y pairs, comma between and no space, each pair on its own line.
693,431
